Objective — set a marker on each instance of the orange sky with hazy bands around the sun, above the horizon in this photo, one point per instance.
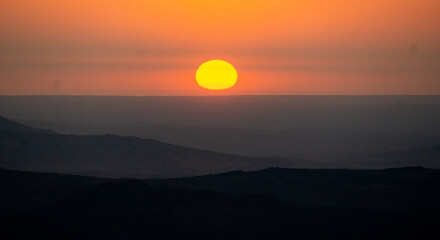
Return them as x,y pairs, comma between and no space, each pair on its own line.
143,47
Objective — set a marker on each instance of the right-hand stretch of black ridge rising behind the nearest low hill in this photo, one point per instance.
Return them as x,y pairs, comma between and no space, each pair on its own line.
402,189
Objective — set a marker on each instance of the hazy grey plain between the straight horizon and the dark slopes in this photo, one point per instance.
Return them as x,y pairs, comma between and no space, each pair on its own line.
315,128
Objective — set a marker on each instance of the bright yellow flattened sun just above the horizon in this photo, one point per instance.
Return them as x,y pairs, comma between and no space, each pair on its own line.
216,75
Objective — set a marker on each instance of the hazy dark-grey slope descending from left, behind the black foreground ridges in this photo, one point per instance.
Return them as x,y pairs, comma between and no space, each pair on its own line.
115,156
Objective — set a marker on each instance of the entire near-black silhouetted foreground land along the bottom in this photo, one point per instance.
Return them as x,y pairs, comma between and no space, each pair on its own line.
92,208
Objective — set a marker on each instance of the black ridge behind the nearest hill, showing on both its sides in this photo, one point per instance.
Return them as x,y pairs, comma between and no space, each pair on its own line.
401,189
